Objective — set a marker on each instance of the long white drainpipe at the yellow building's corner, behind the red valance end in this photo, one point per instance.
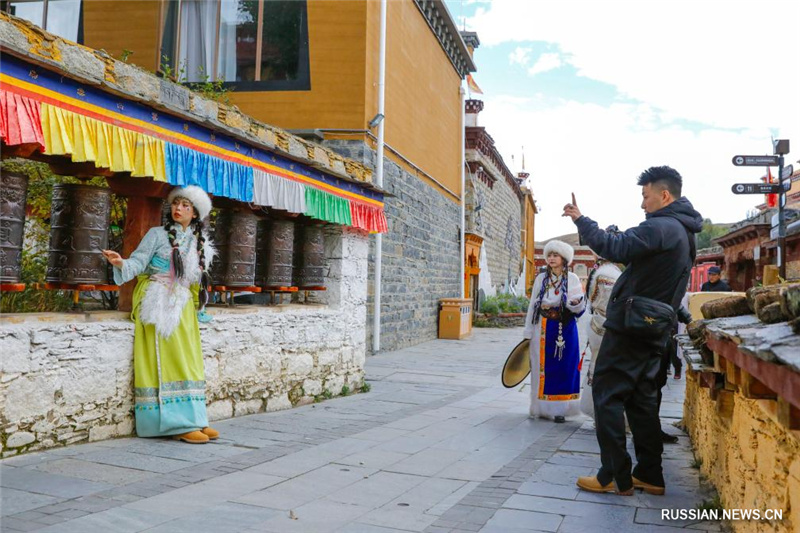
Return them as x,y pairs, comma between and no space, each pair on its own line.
376,313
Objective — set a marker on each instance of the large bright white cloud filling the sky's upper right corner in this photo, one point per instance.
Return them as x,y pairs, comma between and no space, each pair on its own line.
727,64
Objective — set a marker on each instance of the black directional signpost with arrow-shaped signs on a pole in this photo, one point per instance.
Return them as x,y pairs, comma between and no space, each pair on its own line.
780,148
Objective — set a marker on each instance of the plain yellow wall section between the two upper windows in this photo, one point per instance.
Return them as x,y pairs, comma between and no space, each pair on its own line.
115,26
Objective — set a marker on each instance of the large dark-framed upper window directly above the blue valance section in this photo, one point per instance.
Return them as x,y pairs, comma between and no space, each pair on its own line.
251,45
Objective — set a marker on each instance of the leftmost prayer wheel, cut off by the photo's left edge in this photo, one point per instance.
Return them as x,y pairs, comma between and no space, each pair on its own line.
13,198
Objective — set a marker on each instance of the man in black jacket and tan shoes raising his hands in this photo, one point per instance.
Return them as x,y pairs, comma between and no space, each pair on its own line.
658,254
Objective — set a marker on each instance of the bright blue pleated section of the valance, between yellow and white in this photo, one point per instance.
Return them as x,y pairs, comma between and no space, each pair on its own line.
212,174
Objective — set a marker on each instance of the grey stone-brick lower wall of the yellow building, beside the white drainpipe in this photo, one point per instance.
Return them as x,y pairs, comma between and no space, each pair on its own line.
421,253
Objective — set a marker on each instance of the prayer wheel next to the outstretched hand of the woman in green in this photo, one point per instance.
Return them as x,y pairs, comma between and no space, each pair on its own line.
79,219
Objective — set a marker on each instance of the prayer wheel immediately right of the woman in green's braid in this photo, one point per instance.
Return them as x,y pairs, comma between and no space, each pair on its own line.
235,239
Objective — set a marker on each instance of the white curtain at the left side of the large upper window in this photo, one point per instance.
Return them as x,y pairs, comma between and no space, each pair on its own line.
198,33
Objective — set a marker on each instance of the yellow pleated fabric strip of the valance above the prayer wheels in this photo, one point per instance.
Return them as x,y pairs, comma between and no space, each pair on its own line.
108,146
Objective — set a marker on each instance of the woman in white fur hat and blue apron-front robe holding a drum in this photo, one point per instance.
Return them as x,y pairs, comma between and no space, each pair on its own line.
557,300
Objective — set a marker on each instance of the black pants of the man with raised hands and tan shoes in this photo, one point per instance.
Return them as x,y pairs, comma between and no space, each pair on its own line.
625,381
